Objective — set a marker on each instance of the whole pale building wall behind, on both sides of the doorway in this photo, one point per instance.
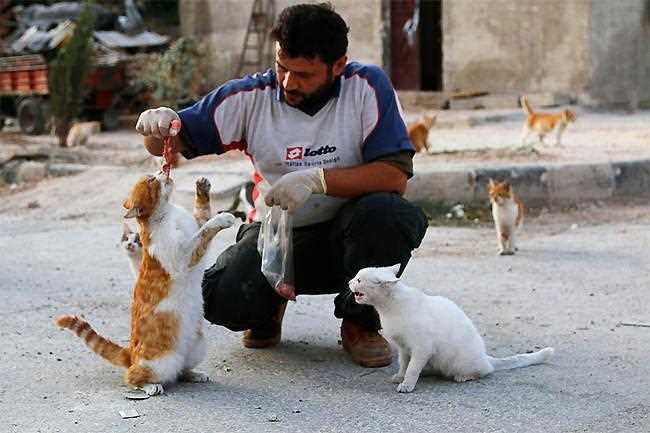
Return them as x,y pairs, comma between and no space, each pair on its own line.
592,50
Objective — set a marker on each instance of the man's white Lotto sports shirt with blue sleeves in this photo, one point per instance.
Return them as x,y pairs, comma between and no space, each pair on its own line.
359,124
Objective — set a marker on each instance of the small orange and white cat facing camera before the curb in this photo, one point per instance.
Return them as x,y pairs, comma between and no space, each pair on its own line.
508,215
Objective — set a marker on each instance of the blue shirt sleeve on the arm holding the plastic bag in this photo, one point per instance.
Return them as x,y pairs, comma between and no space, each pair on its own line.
390,135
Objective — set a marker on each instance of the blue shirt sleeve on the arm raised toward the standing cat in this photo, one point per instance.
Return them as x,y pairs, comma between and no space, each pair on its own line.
198,120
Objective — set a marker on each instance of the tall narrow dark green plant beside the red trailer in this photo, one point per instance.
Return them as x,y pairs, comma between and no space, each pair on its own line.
69,70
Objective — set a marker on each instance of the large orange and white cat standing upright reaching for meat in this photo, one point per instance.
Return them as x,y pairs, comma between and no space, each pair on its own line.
167,339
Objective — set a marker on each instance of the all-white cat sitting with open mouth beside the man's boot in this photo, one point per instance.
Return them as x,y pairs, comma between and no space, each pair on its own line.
430,332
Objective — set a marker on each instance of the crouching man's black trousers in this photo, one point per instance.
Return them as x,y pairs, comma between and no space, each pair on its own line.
379,229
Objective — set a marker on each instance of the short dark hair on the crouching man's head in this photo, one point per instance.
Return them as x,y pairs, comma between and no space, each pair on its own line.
312,30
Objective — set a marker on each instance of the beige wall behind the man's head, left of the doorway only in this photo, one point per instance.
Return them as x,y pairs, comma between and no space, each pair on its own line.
222,23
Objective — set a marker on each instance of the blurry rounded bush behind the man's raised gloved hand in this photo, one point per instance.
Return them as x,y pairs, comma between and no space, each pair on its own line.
180,74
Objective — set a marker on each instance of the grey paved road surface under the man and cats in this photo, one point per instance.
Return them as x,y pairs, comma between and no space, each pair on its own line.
568,287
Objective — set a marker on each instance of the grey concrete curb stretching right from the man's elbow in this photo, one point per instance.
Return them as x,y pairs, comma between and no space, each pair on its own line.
537,185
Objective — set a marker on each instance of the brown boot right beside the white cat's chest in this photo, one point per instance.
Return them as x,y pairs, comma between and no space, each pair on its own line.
367,348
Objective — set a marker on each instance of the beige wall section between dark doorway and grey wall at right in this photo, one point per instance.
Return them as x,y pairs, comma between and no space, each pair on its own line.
514,46
